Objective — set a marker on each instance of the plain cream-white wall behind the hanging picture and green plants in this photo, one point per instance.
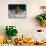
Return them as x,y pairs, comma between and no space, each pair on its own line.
24,26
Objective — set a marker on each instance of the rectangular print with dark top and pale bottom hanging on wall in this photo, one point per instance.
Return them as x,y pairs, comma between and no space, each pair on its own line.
17,10
